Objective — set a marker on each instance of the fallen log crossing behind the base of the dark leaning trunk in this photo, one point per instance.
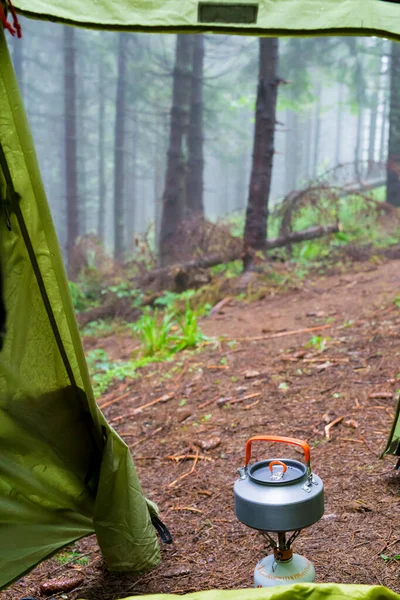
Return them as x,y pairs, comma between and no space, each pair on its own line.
177,271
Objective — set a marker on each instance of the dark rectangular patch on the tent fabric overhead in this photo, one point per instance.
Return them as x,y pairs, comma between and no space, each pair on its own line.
232,12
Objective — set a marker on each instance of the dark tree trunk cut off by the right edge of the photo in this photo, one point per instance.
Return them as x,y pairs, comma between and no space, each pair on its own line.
393,161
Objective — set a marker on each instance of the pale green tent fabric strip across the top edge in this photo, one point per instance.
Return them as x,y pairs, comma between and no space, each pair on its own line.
267,17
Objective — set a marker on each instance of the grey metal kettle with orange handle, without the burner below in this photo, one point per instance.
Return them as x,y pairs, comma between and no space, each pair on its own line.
278,494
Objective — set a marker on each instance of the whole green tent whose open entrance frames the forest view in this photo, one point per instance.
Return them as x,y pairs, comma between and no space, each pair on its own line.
64,473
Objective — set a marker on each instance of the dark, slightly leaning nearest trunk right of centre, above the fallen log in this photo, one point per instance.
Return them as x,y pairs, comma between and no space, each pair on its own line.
263,151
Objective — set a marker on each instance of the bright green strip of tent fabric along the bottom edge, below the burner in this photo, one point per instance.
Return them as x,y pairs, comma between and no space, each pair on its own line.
298,591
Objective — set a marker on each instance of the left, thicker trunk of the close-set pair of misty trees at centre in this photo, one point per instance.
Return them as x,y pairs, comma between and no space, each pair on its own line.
174,197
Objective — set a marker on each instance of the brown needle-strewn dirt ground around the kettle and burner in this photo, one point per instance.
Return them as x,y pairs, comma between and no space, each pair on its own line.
292,389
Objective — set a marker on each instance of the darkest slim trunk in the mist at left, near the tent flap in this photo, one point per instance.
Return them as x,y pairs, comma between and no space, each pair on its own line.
70,133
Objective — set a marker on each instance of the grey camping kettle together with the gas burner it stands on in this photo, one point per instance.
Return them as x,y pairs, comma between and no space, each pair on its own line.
279,496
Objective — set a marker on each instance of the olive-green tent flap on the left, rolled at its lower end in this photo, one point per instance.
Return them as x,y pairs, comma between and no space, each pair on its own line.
64,473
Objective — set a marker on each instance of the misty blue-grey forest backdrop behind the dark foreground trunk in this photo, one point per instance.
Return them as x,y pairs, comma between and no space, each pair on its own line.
108,107
